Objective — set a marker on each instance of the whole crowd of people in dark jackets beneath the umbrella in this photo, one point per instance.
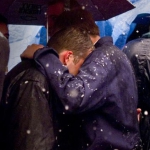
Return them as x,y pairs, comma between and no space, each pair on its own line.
80,92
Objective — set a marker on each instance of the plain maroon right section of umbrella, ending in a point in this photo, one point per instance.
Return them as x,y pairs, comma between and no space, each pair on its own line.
106,9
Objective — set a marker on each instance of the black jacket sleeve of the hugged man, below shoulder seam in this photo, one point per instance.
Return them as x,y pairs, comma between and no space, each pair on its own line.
29,124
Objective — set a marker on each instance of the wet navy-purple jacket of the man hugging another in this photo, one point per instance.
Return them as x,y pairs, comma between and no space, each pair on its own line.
103,95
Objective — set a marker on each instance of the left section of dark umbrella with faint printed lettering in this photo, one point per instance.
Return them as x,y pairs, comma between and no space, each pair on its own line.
24,12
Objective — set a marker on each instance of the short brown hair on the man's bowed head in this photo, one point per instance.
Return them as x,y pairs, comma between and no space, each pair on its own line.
72,38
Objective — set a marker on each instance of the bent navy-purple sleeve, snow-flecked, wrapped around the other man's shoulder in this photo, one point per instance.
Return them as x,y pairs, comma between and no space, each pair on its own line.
75,92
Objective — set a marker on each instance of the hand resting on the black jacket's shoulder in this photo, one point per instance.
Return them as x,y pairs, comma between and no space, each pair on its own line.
30,50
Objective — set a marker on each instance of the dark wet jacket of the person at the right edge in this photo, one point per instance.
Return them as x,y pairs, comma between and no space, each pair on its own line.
138,51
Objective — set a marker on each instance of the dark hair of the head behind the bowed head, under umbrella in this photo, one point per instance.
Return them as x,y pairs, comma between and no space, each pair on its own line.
78,17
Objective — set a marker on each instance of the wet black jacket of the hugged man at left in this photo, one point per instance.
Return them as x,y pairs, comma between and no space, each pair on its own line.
27,117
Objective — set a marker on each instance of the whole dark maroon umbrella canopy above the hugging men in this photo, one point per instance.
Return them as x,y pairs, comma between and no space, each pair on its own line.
32,12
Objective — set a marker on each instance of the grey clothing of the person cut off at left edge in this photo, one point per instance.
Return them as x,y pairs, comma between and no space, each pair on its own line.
4,55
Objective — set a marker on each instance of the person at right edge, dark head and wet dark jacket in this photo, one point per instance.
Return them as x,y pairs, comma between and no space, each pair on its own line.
137,50
